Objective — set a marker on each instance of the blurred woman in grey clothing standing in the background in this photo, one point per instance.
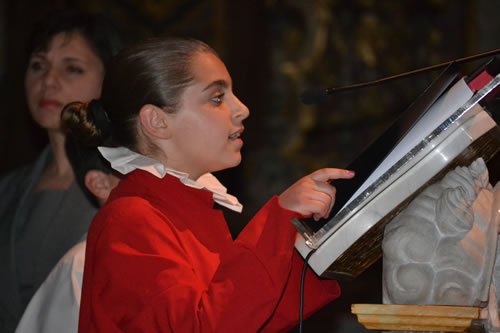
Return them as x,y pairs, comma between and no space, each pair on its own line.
43,212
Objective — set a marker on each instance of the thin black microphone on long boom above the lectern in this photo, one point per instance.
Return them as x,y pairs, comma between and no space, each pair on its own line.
318,96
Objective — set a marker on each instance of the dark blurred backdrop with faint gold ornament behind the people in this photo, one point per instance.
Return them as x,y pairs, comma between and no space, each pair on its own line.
275,50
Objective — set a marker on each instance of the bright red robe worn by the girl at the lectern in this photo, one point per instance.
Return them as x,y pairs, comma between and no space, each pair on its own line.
160,258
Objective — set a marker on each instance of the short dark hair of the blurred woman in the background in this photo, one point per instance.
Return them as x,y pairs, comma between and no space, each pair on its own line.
102,35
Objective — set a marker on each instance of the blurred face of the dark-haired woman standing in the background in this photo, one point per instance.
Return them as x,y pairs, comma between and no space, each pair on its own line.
67,71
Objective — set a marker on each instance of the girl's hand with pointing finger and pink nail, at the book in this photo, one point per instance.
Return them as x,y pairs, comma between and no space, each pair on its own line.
313,194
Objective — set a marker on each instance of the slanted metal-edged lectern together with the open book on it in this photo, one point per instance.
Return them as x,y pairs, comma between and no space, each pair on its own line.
445,127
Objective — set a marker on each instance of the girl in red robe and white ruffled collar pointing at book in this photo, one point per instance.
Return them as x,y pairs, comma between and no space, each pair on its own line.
160,257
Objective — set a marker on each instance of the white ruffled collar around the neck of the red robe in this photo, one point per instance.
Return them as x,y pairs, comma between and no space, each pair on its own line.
125,161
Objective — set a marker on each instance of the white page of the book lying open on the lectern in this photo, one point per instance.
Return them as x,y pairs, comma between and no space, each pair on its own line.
441,110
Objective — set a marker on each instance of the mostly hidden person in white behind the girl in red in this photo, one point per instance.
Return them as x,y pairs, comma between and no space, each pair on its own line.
55,306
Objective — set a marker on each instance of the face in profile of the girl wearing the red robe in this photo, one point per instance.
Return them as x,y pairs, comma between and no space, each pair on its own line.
207,127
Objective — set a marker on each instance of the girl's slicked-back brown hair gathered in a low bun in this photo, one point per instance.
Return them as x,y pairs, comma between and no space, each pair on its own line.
155,72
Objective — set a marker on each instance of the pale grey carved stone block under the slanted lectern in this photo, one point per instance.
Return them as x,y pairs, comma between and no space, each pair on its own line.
441,249
